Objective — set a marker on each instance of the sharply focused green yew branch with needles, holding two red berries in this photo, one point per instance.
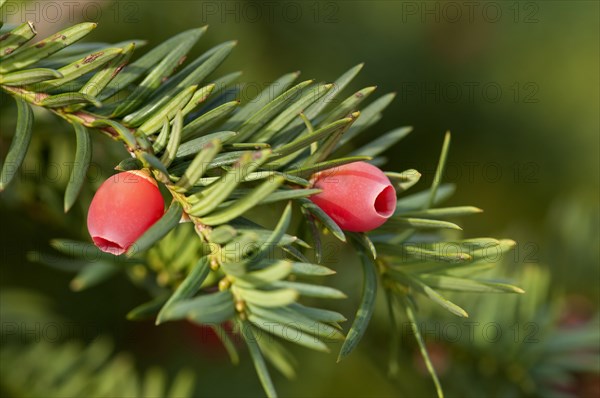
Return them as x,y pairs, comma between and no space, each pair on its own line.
220,158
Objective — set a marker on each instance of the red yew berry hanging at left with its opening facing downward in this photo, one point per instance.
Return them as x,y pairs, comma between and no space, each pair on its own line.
123,208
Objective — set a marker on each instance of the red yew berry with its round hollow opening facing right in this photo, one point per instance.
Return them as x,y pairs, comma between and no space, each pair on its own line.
357,196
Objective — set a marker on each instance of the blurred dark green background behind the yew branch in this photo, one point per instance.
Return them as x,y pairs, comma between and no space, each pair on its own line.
516,82
